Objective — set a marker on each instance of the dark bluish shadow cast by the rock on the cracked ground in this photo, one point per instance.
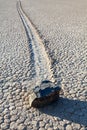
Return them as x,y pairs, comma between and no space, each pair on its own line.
72,110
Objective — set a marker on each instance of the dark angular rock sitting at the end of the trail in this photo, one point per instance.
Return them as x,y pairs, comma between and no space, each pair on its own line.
44,94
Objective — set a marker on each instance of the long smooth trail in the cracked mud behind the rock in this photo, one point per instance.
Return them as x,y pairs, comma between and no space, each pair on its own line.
39,56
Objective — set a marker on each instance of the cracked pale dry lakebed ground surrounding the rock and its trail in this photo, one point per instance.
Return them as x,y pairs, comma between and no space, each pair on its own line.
64,25
